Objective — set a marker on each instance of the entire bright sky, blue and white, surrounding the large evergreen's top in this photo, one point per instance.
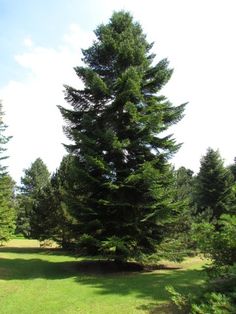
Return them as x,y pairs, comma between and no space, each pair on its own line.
41,42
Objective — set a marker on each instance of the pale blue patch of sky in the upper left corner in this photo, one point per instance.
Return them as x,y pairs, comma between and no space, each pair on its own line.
45,21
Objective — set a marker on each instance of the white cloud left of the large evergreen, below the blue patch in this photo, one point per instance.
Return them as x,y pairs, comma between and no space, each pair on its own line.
31,104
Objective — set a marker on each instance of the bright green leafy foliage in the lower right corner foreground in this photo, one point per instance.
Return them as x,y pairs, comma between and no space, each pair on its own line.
217,241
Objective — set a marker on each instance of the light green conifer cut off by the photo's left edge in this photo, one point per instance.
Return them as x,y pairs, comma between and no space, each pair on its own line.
7,211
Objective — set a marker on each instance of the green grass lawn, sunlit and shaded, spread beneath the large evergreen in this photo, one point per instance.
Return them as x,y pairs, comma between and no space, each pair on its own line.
35,280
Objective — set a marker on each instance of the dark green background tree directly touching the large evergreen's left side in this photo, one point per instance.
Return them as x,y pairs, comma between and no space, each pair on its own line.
51,218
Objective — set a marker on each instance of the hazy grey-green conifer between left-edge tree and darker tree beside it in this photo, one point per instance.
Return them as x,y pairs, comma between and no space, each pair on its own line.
35,179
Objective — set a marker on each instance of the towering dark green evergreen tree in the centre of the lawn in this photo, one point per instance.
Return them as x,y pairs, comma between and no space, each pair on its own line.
116,125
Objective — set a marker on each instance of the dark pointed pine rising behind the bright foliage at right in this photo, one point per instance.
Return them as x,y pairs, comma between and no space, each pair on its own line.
214,188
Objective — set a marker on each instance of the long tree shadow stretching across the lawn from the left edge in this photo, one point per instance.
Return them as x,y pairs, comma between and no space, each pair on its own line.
147,286
